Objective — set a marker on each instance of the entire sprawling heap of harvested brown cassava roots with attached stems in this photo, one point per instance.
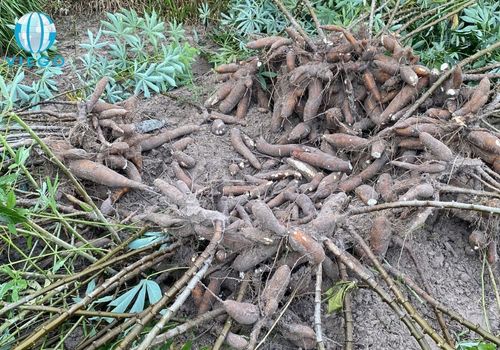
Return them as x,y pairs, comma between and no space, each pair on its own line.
364,134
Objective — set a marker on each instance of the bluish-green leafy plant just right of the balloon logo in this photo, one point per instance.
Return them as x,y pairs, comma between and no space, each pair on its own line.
139,59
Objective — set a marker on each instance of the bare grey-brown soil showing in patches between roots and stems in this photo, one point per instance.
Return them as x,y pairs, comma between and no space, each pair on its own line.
453,274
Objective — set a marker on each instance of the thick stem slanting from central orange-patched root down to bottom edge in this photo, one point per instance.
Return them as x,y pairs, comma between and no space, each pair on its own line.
357,268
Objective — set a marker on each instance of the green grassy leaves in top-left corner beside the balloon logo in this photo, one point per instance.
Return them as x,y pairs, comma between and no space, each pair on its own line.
10,10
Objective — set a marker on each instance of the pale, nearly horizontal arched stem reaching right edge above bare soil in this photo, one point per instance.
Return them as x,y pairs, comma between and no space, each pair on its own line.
418,203
